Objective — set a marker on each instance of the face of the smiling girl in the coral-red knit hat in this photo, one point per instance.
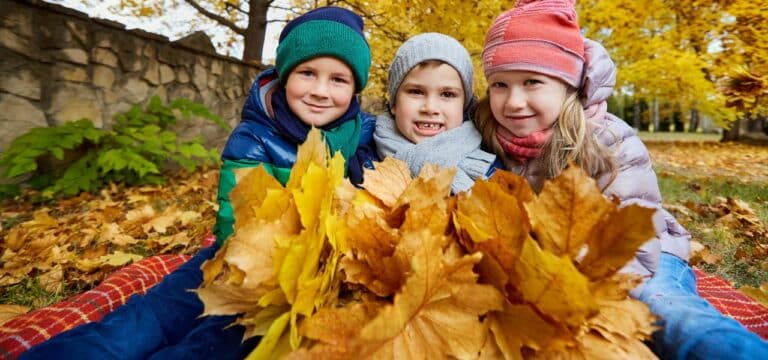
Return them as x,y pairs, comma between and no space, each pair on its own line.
525,102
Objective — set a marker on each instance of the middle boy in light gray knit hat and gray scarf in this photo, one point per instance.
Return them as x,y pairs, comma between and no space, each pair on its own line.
430,92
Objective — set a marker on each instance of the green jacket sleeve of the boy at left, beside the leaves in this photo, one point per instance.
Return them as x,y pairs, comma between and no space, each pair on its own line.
225,217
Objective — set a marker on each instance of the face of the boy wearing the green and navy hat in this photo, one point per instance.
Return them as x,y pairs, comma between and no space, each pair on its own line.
320,90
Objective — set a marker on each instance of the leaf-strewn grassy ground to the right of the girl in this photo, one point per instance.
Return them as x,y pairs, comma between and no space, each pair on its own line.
719,192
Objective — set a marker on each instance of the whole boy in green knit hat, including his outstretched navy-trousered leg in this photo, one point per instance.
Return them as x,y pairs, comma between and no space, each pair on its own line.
322,63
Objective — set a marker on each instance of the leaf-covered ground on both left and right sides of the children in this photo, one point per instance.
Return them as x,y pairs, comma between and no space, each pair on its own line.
51,250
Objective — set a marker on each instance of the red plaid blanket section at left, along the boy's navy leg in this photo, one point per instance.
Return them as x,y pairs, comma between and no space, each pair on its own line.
25,331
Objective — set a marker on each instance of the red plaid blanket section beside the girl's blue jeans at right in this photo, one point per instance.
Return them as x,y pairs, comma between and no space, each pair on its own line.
733,303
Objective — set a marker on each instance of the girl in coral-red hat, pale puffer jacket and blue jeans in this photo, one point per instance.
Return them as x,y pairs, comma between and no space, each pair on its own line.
536,120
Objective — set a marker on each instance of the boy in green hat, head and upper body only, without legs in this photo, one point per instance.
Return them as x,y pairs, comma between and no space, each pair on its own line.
322,63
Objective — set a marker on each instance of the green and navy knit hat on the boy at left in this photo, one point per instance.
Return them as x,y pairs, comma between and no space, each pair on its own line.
326,31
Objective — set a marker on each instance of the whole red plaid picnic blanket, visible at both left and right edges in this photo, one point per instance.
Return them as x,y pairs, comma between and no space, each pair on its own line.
25,331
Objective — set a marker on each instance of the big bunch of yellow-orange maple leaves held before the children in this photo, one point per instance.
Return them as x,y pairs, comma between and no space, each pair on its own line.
402,269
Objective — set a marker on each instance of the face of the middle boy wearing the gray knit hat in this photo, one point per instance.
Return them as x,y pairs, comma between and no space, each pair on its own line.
429,101
